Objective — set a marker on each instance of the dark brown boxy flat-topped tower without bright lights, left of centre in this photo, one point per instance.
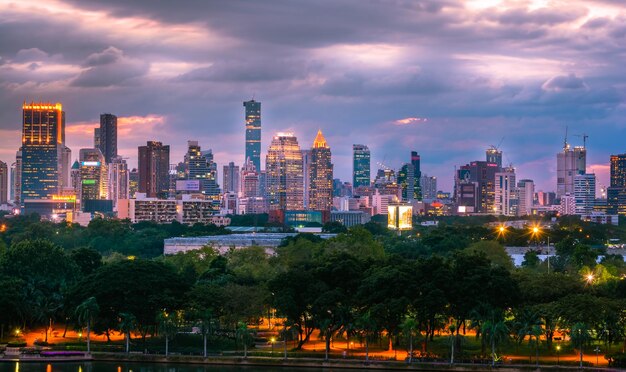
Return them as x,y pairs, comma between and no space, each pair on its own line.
154,163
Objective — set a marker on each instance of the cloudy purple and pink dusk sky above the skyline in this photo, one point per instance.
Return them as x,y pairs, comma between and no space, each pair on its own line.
447,78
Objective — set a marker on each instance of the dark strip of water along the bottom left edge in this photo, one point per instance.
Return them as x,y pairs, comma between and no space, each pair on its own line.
136,367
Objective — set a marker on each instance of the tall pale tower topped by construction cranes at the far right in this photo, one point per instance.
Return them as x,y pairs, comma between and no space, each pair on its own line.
569,163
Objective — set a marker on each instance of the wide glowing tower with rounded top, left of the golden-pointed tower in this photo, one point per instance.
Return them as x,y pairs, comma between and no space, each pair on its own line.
285,178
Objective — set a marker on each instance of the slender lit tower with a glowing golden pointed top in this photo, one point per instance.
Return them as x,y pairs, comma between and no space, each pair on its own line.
320,175
